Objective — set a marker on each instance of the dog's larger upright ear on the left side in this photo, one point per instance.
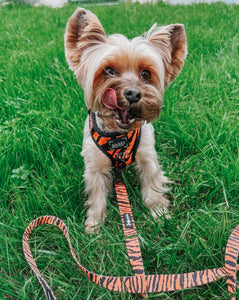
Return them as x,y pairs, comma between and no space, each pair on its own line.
83,30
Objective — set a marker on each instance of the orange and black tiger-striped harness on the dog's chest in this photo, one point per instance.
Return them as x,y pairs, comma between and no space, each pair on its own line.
119,147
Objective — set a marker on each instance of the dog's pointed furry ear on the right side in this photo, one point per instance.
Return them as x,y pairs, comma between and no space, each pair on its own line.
171,43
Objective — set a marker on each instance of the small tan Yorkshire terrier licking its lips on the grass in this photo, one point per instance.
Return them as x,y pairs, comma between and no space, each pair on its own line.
123,82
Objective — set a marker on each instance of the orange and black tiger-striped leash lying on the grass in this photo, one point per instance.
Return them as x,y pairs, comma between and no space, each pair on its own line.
141,283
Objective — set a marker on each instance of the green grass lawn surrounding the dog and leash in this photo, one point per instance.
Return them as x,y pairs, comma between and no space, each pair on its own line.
41,119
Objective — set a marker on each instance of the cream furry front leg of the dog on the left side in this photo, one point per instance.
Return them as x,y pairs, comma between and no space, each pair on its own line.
98,182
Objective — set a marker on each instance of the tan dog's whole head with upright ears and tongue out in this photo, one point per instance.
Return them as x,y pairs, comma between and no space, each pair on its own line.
123,80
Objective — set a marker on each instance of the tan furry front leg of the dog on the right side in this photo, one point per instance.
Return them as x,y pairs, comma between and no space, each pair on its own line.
151,176
